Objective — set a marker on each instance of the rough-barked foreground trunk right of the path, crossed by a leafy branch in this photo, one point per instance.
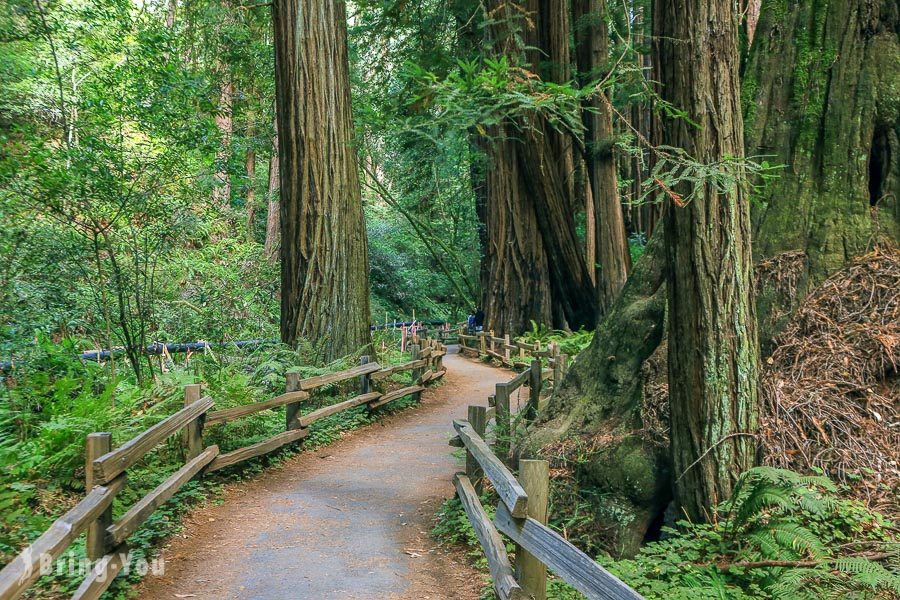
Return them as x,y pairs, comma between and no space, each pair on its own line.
713,350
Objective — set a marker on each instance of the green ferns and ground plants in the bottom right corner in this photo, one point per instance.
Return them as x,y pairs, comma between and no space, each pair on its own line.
813,539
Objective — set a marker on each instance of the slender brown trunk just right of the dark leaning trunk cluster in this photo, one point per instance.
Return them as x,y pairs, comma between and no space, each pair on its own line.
592,54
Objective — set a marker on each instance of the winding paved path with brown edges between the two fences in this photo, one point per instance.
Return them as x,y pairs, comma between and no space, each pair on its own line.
350,520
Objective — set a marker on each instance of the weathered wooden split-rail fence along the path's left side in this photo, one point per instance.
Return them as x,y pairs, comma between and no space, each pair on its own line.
106,467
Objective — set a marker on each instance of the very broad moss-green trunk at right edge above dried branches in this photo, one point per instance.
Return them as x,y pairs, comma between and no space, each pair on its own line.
820,96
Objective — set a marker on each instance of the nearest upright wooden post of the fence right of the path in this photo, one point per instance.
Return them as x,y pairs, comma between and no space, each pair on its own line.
534,475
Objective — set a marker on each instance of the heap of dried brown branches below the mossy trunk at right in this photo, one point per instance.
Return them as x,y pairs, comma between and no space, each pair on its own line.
831,386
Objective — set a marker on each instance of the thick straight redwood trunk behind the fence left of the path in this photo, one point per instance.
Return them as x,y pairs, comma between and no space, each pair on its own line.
324,262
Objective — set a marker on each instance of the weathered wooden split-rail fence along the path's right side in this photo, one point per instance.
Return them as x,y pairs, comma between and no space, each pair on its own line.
522,510
